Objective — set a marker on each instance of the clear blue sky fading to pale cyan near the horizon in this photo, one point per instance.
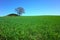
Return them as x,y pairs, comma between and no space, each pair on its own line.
32,7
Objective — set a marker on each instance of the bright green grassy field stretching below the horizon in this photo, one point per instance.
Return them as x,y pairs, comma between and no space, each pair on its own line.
30,28
